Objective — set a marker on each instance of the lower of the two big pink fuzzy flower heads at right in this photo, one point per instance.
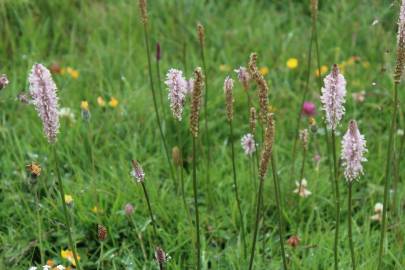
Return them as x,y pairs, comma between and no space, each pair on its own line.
353,150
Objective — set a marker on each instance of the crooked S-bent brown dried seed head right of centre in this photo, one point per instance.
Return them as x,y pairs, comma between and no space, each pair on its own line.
263,88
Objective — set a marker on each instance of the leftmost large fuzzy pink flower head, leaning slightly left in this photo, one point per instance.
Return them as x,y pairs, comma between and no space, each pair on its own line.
43,92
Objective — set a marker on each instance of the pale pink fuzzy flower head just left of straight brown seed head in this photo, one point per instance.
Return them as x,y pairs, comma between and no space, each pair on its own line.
177,86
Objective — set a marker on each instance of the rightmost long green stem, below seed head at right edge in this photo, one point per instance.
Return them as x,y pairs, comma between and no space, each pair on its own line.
387,176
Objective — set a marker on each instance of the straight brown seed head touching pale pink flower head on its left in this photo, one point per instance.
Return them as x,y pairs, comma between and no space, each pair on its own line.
196,102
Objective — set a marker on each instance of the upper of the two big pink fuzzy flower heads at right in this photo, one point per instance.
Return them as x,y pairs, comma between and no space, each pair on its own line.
333,97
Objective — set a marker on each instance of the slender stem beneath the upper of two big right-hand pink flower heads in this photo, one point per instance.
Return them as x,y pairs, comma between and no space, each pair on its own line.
337,201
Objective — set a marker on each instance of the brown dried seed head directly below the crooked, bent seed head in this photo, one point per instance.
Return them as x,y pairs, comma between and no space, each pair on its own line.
268,145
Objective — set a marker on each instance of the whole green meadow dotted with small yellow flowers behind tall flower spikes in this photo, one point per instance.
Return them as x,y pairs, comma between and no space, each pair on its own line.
96,53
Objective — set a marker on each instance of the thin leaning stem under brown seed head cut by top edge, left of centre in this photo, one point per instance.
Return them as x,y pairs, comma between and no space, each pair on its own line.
146,35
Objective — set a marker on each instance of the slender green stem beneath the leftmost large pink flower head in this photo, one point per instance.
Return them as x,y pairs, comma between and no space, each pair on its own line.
65,210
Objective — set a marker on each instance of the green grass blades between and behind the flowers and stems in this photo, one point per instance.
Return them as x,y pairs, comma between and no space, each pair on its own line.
103,40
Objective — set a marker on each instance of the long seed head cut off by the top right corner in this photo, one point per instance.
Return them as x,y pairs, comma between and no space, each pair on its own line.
399,68
